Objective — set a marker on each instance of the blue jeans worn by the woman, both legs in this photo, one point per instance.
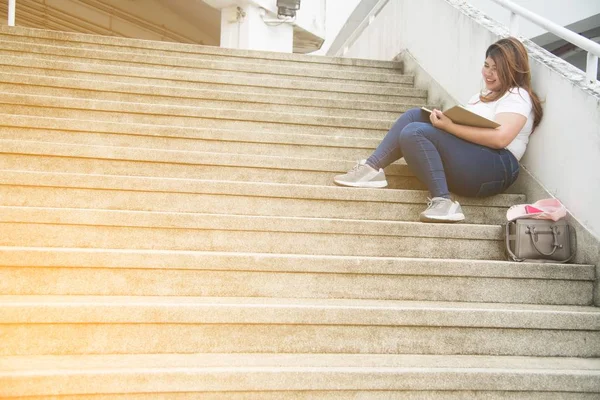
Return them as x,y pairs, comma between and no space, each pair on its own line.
444,162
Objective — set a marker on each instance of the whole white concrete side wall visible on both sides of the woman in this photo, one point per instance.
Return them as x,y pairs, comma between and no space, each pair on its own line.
448,39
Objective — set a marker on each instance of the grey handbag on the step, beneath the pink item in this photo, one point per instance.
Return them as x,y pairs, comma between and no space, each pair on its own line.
539,240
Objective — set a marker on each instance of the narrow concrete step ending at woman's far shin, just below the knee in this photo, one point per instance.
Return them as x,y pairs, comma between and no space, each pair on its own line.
87,109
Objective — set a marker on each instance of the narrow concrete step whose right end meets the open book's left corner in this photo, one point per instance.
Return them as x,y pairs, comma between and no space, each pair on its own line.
182,96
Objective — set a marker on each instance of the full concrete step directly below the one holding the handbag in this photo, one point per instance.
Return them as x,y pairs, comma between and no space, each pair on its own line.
148,324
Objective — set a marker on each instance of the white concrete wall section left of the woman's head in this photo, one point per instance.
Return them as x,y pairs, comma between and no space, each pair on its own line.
431,30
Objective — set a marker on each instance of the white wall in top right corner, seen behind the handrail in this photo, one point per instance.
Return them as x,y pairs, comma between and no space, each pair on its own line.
562,12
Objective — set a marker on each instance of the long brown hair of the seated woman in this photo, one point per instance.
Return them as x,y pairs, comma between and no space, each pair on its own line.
512,66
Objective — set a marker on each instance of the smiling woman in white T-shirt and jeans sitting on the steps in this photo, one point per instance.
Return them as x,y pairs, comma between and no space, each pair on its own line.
469,161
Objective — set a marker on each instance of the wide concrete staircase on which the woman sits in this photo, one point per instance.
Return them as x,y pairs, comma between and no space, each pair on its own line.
170,231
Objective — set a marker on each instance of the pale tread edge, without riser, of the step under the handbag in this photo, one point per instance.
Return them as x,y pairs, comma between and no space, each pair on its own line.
181,259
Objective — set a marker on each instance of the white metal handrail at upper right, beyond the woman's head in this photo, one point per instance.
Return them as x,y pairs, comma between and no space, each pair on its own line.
592,48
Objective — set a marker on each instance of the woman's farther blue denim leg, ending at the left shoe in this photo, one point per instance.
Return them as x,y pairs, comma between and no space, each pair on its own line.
389,150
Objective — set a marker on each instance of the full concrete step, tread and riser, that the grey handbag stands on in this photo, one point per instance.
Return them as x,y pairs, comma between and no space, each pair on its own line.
104,272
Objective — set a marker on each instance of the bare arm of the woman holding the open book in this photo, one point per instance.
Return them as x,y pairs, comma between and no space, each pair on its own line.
510,126
